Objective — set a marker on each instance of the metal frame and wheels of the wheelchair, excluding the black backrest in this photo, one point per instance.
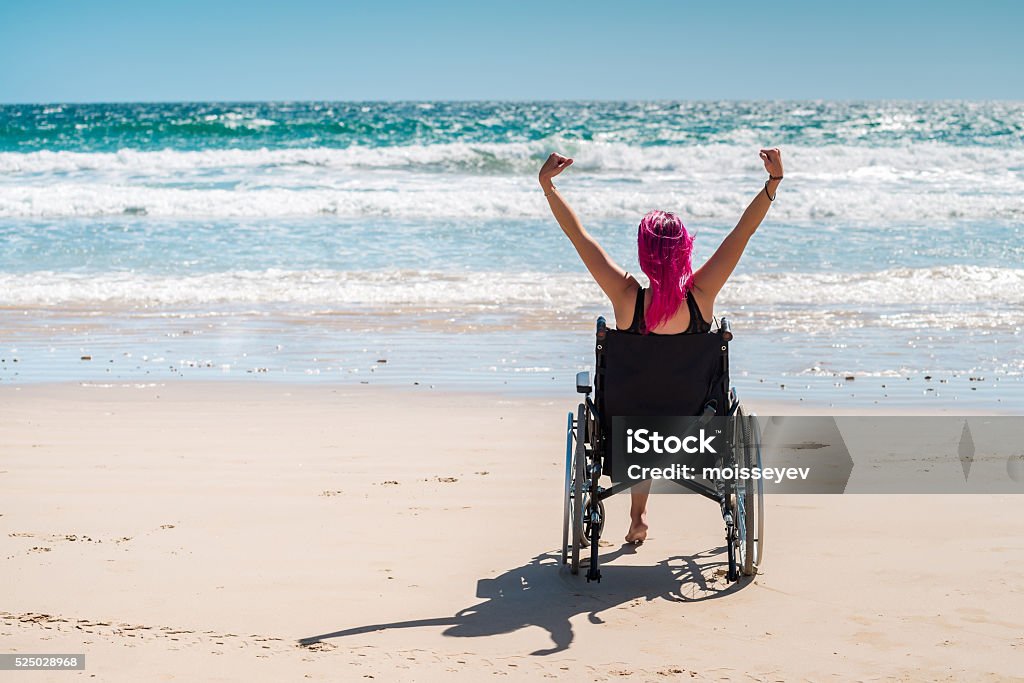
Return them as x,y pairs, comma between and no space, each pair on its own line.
742,503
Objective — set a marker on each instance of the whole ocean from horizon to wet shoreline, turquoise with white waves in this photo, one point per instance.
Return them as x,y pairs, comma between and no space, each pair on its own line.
409,243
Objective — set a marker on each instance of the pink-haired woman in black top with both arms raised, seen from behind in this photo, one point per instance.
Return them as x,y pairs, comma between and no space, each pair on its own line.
680,301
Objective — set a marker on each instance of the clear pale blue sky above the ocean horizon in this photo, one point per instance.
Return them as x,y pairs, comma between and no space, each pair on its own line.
308,50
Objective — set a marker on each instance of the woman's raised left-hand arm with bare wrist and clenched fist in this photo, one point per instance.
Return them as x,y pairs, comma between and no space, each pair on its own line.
610,276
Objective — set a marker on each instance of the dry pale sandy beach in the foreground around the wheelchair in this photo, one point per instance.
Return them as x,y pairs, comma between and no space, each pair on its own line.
220,531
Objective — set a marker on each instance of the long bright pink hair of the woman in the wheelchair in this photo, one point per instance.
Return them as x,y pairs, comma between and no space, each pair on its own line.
665,249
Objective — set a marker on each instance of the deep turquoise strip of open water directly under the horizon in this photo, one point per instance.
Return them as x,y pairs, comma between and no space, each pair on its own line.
198,126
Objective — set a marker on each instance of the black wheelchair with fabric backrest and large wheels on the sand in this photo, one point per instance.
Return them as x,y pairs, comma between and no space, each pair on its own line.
661,375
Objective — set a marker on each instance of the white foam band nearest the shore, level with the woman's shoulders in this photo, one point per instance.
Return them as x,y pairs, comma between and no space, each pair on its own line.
902,289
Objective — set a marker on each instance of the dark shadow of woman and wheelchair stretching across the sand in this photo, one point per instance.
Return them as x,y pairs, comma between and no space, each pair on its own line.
543,593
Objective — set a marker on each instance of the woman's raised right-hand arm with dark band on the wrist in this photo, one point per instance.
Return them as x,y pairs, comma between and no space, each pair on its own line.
714,274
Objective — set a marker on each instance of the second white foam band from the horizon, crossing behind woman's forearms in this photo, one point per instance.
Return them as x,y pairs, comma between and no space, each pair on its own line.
474,199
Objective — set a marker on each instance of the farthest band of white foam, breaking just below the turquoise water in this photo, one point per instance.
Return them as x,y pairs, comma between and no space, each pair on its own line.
713,159
